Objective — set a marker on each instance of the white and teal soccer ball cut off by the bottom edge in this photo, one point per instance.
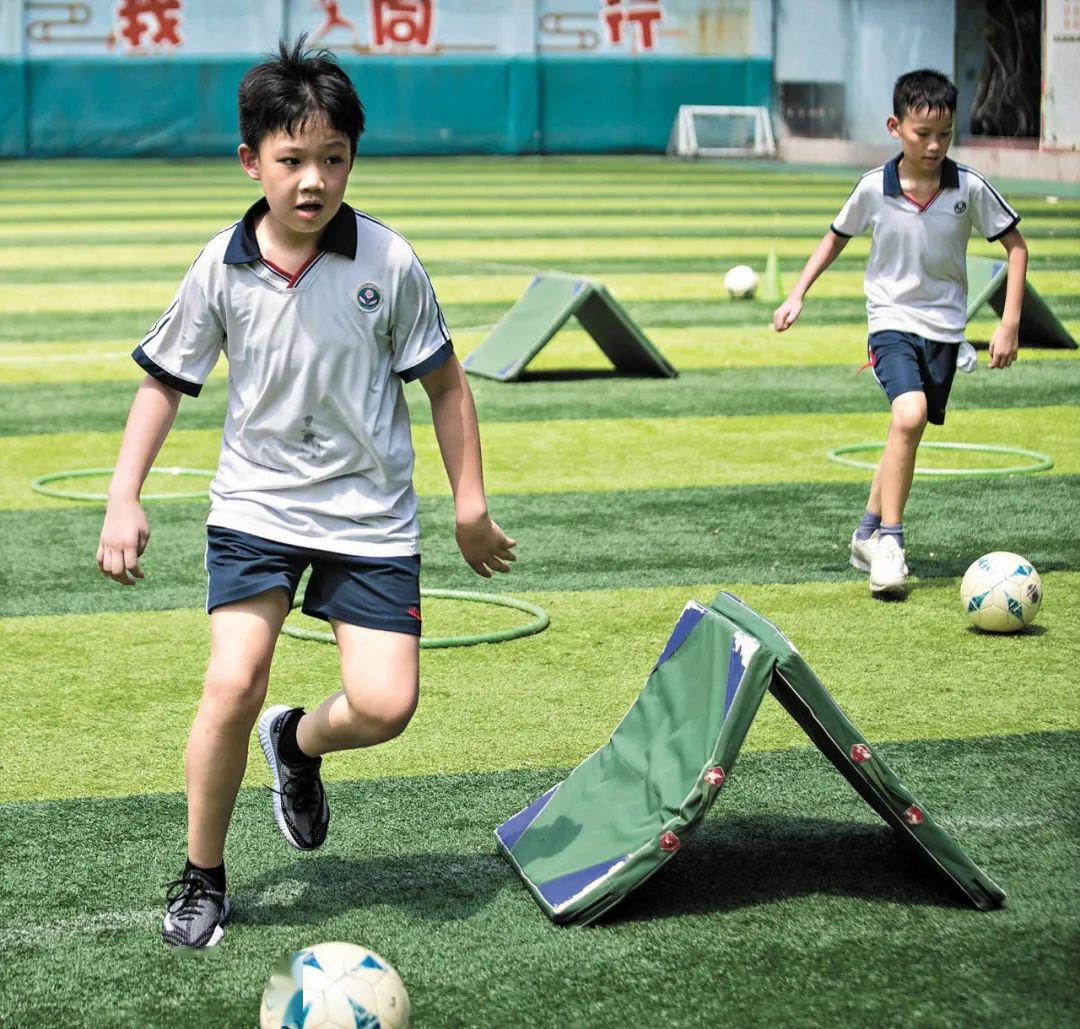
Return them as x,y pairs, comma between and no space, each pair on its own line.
334,986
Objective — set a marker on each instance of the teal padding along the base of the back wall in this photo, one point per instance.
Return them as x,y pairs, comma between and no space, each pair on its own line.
445,105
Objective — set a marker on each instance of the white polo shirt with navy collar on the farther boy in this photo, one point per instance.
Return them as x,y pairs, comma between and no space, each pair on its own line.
917,276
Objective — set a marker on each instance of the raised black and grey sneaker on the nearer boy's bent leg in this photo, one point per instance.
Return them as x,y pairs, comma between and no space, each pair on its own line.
300,801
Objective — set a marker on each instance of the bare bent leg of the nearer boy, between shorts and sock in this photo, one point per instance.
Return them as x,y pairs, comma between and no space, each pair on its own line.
381,678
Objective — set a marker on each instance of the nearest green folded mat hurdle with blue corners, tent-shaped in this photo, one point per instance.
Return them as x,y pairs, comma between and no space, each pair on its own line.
623,814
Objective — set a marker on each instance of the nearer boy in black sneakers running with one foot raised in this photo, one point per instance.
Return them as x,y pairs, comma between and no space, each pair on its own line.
322,314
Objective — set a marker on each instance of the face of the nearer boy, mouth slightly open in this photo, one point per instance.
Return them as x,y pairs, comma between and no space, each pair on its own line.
303,177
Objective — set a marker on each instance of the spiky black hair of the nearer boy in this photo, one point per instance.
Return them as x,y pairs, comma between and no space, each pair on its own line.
294,87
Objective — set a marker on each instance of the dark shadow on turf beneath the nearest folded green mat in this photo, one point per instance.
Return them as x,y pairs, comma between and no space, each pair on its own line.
745,862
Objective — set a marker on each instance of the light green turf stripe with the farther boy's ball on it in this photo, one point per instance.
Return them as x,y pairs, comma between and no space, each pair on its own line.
491,708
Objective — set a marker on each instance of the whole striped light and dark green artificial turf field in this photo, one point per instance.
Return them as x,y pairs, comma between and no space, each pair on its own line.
793,904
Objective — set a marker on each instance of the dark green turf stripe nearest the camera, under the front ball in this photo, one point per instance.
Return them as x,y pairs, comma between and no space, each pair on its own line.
811,875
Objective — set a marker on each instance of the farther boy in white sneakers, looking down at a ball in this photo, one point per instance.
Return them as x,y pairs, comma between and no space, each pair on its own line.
921,209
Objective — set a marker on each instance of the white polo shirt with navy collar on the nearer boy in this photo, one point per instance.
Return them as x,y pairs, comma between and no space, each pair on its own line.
317,450
